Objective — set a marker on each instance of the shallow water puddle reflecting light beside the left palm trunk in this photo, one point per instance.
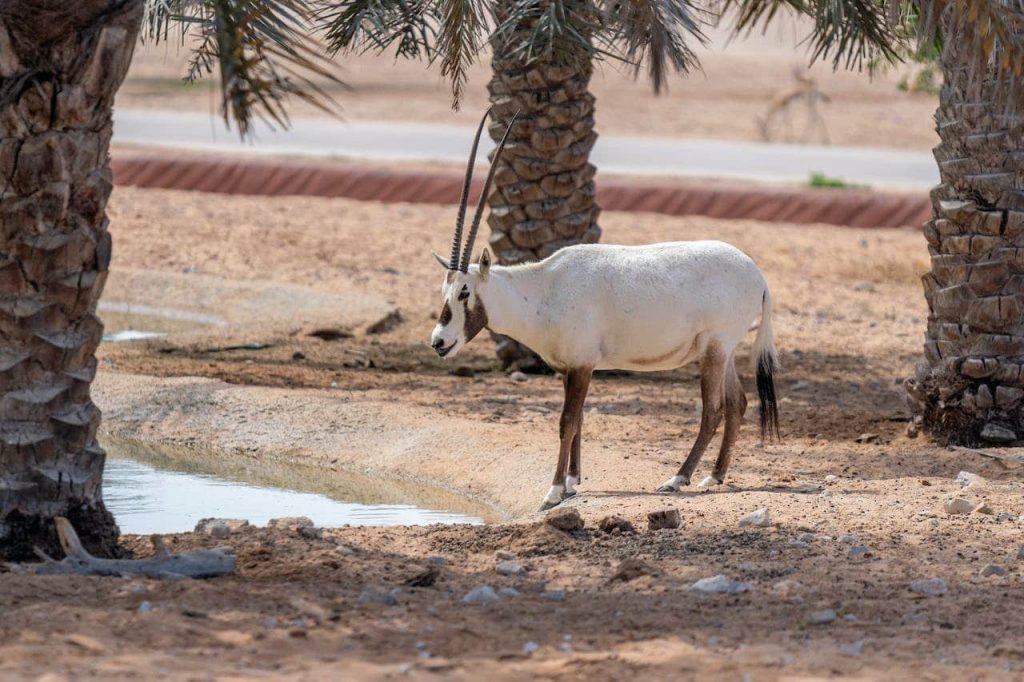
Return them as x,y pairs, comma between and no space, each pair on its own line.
147,497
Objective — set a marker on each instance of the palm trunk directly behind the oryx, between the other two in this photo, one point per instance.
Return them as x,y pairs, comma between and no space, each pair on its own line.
544,187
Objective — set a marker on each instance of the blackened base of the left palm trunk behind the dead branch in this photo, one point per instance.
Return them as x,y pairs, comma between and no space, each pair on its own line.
20,535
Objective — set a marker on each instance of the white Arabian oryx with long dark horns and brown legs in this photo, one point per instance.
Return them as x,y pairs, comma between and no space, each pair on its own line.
600,307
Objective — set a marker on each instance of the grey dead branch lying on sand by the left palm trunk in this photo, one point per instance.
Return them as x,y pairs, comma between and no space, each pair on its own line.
162,566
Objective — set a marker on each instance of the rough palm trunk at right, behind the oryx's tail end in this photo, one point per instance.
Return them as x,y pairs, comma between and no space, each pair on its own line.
971,385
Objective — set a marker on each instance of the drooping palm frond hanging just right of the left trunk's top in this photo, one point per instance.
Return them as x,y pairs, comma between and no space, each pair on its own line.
262,50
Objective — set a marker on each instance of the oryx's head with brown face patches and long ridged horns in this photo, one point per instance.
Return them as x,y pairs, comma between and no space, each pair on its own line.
463,315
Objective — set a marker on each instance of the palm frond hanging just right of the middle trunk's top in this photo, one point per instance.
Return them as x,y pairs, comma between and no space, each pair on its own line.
657,33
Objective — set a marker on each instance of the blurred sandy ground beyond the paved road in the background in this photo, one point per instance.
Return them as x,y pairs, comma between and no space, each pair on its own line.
737,88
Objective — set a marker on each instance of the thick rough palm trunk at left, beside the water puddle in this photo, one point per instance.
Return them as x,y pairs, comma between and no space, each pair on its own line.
61,64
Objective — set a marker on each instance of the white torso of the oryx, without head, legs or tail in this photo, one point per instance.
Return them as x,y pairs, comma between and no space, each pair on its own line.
627,308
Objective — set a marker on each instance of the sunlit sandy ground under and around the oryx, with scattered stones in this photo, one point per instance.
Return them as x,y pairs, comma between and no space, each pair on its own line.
852,524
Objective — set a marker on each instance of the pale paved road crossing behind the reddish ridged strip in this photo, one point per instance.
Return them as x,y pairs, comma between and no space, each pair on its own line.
628,156
